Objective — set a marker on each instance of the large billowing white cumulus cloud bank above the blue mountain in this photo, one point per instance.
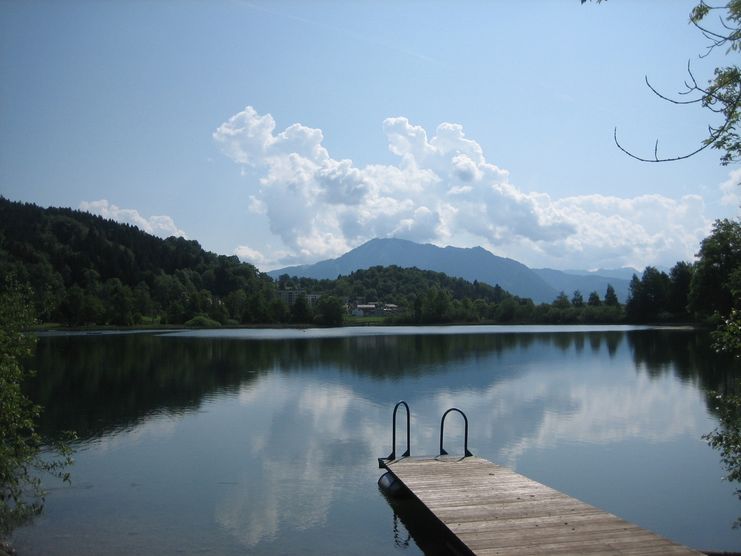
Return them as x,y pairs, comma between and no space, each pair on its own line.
443,190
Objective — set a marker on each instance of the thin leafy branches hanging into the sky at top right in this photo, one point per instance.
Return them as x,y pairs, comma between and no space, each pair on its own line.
720,96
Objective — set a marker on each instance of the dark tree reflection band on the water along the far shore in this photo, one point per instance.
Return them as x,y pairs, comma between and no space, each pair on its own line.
101,383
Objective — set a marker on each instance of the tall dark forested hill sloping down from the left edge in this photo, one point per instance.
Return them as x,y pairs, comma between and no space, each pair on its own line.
86,269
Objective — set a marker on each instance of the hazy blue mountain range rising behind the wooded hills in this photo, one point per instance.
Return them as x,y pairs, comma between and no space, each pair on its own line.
474,263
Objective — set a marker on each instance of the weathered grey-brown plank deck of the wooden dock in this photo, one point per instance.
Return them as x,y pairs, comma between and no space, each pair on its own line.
495,511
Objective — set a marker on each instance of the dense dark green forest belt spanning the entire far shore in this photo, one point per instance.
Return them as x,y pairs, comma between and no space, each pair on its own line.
86,270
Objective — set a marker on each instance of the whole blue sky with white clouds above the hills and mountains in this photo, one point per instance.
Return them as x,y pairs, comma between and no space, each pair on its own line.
290,132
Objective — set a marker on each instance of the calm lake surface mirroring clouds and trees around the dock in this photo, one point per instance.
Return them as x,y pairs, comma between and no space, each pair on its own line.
265,442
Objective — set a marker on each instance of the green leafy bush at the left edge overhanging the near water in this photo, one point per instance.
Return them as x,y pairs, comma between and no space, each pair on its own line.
21,458
